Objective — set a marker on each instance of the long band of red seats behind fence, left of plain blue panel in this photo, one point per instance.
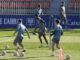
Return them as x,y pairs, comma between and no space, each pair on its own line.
24,4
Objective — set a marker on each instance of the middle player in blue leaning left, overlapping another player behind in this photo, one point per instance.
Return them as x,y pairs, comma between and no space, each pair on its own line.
41,31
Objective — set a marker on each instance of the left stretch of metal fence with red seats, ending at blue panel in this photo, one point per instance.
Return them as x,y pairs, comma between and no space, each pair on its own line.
22,6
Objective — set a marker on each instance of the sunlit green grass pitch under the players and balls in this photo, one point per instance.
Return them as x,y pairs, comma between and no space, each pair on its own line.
70,43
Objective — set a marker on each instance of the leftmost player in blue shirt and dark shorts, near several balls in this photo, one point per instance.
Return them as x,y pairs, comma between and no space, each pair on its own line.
20,29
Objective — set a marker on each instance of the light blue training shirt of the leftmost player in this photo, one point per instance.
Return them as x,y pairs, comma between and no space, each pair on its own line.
20,29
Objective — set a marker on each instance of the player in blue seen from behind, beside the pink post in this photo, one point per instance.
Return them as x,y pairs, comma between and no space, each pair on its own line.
57,35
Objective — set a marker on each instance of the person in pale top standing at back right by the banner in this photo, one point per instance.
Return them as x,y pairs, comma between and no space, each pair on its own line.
63,13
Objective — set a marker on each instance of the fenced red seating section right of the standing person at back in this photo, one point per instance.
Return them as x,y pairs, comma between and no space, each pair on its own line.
73,6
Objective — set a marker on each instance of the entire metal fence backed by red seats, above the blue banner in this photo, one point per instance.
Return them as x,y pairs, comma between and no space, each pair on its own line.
28,6
